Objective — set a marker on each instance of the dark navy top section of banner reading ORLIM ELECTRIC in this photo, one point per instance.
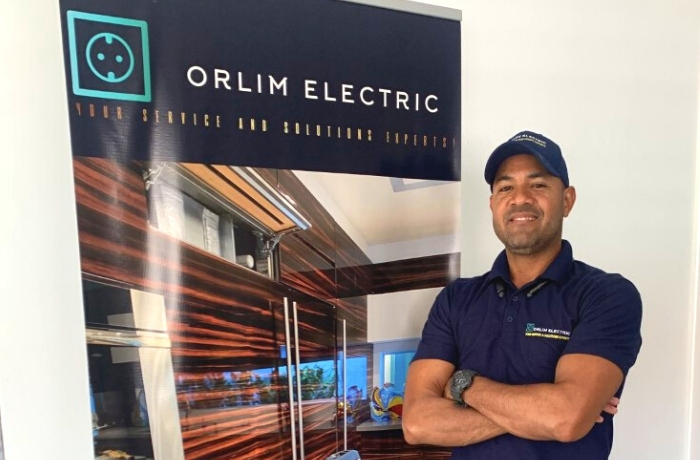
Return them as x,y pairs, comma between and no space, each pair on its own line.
309,84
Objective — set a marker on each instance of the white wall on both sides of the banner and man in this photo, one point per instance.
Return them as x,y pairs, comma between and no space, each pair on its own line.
615,83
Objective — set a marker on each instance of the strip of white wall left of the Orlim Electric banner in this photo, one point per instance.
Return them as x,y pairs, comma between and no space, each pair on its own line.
43,362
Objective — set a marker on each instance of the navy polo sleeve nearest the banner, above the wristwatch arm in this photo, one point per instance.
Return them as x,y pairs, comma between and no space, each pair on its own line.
437,340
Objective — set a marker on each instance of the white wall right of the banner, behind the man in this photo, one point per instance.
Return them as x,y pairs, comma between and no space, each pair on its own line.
616,85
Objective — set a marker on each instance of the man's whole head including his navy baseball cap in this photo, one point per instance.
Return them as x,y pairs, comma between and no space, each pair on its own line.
530,193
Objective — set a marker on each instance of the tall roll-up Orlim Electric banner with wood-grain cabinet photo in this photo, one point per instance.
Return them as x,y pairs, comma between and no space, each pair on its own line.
230,155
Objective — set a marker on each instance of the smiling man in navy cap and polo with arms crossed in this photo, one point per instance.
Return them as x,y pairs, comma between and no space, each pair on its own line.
528,360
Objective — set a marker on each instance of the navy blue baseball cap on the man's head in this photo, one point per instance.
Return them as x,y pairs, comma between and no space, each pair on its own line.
545,150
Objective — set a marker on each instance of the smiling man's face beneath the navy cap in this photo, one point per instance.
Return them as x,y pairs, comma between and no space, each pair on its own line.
529,205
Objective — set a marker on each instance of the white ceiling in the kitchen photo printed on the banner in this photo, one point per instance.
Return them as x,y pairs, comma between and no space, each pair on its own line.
380,210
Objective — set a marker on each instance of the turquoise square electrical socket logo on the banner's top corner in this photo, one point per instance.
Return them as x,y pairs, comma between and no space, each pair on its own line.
109,57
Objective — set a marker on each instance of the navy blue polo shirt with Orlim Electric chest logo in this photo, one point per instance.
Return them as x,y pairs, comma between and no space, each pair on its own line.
516,336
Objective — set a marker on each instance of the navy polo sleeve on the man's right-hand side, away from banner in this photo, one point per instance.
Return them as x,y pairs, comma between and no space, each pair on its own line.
609,325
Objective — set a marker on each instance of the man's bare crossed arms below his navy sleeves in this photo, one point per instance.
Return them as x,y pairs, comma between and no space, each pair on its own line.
565,410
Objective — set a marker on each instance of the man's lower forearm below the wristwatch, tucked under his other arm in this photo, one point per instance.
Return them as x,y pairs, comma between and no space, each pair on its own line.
438,421
